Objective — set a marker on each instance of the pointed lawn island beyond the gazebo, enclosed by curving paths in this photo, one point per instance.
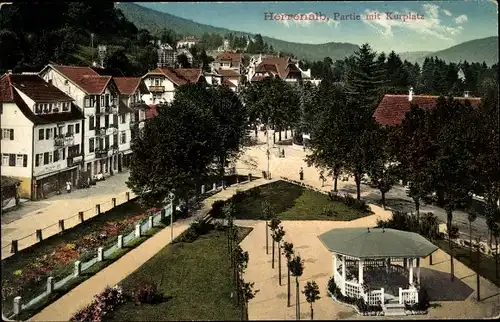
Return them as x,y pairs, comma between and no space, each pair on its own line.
291,202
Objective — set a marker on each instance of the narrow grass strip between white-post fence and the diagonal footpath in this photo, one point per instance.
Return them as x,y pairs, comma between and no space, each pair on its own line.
91,271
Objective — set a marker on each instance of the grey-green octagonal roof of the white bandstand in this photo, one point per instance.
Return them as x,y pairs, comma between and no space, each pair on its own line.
376,243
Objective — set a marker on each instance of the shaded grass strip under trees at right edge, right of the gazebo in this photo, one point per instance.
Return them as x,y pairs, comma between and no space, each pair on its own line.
461,253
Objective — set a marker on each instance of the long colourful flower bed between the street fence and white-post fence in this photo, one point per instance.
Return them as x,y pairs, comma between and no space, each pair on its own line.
58,262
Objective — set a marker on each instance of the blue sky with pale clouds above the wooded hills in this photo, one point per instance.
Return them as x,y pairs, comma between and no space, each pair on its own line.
432,25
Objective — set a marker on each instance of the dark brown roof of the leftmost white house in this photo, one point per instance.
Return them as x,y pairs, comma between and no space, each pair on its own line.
37,88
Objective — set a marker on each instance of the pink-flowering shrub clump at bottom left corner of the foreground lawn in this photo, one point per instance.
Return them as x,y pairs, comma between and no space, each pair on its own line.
102,306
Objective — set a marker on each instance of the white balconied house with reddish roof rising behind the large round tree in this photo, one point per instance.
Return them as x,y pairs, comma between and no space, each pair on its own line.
162,83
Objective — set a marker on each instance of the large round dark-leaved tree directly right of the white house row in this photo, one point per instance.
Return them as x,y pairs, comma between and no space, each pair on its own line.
173,153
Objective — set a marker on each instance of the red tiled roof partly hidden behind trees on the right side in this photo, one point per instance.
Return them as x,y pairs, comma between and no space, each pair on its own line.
393,108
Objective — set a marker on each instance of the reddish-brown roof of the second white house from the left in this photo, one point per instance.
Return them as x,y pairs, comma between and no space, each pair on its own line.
84,77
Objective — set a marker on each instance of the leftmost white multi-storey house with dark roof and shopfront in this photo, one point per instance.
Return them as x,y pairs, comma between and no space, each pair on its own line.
42,135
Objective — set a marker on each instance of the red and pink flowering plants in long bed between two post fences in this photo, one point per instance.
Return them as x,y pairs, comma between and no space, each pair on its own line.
29,280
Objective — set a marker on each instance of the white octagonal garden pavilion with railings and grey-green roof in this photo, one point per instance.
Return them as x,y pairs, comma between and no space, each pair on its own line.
378,264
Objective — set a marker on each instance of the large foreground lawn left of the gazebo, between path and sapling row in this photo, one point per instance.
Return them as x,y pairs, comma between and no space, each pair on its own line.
195,279
